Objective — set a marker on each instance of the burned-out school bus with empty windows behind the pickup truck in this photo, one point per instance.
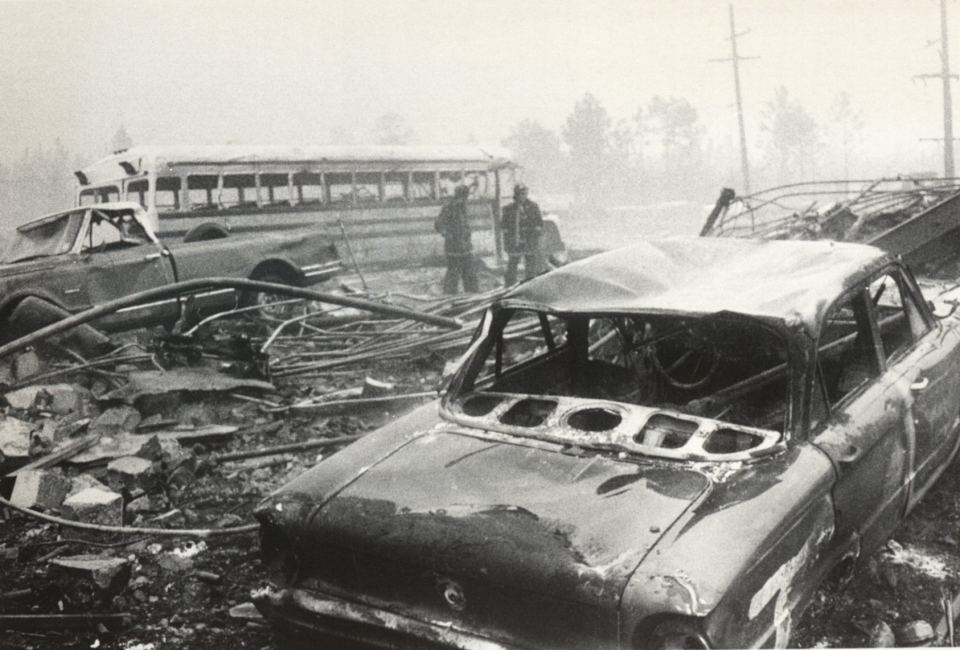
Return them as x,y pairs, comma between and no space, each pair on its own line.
378,203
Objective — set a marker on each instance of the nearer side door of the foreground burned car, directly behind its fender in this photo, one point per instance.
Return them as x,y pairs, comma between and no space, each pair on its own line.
860,412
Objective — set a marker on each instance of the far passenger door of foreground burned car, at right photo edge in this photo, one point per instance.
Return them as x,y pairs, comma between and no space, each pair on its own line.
925,355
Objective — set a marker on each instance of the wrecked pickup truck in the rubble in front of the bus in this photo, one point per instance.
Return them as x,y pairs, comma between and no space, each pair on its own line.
69,261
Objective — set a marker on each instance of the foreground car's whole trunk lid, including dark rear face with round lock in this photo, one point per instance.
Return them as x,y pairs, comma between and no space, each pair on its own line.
482,530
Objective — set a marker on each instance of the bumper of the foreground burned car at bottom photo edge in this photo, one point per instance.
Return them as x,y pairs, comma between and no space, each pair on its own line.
330,617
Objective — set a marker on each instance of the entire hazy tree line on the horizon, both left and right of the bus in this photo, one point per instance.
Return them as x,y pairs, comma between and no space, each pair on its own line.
660,153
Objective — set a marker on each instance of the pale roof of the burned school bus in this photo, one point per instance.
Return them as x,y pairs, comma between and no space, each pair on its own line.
139,159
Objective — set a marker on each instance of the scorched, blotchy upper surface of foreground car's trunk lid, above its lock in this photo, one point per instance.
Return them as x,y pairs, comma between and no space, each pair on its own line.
527,516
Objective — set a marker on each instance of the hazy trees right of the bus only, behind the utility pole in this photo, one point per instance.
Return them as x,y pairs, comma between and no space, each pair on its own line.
662,151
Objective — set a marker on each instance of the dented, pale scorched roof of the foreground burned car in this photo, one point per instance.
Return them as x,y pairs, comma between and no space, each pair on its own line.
788,282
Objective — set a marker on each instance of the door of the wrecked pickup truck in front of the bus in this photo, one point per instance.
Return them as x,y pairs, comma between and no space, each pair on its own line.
120,261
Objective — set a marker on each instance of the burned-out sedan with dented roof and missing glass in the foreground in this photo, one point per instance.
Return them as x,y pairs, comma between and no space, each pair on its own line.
669,445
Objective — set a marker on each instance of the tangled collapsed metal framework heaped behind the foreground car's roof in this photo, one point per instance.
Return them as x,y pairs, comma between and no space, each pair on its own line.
917,218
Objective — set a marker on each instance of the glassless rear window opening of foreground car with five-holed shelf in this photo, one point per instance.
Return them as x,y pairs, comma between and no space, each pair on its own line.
726,369
